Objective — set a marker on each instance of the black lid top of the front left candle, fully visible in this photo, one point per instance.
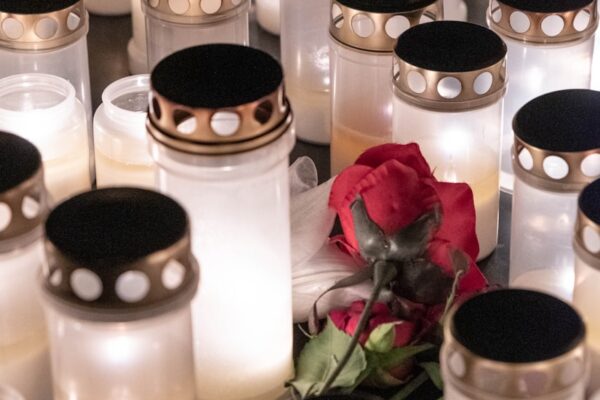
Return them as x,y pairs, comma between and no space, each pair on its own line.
109,227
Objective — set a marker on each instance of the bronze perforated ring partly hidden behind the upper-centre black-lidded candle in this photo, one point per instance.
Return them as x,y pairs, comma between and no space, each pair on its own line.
381,30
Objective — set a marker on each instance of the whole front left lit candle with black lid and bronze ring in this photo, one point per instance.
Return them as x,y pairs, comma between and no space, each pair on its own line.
117,293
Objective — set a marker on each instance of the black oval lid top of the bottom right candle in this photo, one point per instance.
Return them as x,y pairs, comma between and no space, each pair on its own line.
517,326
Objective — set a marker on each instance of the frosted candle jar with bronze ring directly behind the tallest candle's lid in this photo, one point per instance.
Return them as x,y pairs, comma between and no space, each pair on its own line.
173,25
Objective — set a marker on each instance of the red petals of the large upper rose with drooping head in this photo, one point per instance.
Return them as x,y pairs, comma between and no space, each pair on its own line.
397,187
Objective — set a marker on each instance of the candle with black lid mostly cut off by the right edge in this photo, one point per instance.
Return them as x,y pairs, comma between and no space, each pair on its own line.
587,272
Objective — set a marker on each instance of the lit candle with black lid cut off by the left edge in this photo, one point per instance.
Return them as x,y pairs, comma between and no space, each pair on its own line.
23,208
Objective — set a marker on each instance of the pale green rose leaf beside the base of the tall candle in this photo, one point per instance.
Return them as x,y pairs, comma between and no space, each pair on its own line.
320,357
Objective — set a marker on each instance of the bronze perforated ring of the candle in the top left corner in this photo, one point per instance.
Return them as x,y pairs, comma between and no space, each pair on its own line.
43,31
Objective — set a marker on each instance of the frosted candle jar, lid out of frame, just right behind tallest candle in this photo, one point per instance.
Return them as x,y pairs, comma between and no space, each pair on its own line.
305,58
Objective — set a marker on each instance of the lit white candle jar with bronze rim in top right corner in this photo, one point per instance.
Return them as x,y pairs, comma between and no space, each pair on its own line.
550,46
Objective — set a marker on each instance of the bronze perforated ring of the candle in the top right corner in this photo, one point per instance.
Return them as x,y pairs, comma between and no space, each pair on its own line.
543,28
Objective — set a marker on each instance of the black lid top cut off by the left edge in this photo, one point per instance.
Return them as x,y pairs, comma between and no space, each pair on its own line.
19,161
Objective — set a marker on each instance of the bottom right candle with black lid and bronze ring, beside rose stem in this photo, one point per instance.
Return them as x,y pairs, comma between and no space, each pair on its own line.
514,344
